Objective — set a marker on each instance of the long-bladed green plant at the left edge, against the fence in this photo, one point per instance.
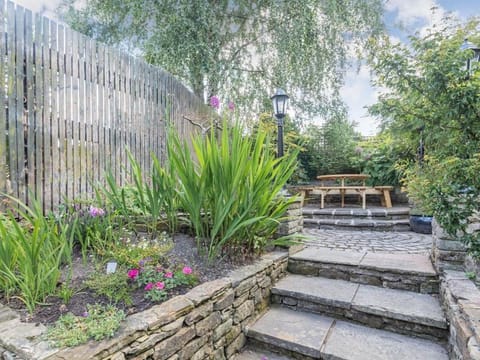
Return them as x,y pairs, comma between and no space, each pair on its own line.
41,245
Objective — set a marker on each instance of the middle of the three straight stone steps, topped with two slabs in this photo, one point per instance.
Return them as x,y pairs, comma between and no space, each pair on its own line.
400,311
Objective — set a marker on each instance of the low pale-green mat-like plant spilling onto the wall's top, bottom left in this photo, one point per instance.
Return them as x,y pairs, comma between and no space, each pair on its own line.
97,323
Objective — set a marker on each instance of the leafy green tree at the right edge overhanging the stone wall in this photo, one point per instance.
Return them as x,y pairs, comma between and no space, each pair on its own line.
430,94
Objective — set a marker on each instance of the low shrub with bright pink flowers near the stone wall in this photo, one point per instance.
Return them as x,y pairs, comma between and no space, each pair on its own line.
156,281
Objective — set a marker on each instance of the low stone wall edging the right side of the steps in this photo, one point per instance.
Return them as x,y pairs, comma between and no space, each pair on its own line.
461,301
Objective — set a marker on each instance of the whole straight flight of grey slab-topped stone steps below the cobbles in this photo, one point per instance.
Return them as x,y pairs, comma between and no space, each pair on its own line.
345,305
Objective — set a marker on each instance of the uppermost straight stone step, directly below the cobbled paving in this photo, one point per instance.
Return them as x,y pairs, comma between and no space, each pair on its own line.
413,272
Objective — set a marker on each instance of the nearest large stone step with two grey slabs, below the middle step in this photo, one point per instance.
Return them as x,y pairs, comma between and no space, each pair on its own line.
311,336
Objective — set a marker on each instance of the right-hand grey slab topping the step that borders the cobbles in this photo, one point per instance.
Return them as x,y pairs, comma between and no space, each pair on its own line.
399,263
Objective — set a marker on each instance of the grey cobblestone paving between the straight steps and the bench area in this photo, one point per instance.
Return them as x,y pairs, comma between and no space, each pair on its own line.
405,242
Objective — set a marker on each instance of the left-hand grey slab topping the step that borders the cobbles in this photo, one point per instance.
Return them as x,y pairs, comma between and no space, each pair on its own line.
325,255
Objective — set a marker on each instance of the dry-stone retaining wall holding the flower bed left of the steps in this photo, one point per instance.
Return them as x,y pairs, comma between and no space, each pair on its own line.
207,322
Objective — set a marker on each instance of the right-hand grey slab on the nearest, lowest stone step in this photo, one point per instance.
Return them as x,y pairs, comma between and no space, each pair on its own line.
355,342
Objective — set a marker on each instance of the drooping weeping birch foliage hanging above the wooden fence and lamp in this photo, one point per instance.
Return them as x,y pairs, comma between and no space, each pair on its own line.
240,49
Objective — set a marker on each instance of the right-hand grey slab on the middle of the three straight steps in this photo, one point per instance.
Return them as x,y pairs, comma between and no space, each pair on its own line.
401,305
